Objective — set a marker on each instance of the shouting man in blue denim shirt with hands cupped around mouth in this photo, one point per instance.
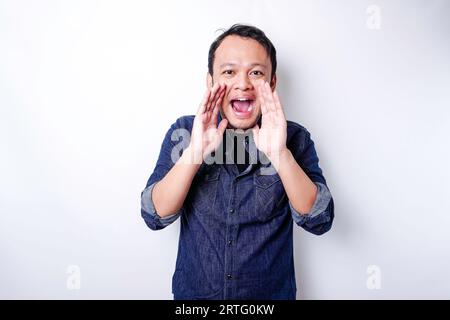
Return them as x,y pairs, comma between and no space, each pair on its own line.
237,209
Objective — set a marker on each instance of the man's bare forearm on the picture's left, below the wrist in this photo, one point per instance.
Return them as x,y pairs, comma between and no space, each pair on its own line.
170,192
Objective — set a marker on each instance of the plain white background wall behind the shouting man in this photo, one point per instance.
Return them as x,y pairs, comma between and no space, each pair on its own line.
88,89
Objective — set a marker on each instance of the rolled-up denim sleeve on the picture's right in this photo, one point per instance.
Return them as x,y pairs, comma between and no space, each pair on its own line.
319,220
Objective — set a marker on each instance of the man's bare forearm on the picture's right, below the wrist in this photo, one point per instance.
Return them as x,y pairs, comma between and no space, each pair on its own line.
300,190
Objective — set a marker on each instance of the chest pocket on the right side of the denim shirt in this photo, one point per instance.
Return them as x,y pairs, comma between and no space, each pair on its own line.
269,196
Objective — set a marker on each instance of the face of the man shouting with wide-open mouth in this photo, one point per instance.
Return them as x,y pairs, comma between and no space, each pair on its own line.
241,64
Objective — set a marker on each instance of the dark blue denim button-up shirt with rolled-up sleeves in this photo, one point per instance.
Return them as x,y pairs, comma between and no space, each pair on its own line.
236,230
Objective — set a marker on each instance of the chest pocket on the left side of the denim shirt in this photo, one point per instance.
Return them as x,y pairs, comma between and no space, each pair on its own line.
203,191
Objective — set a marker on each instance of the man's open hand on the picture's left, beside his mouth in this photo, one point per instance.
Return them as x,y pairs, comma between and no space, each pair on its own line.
206,136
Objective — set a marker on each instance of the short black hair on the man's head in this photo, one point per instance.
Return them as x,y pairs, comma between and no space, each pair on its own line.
244,31
